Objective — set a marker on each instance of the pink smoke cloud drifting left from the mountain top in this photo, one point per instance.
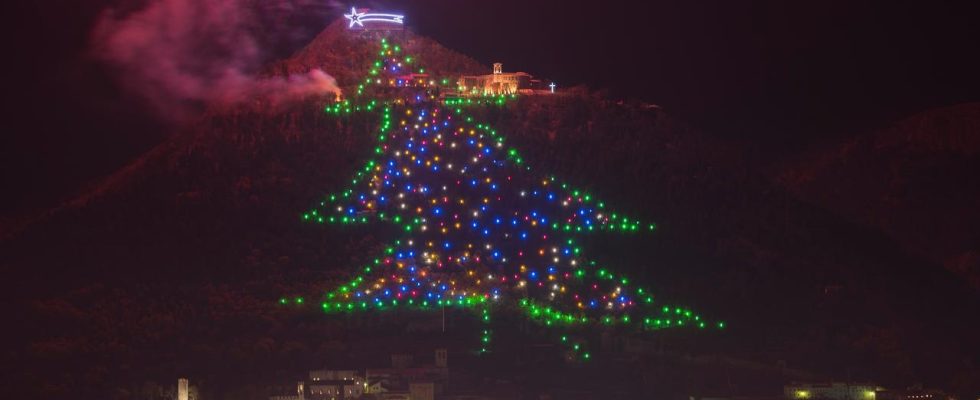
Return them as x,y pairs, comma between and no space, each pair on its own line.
180,55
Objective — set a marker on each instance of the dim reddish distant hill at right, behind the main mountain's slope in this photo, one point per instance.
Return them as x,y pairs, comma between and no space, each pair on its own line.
915,180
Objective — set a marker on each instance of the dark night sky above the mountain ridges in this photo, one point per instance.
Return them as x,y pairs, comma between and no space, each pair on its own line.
784,75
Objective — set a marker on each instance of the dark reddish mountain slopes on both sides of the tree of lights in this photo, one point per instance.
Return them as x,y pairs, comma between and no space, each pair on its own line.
172,265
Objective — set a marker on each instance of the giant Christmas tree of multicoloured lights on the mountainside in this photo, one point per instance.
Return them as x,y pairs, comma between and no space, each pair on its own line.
480,229
